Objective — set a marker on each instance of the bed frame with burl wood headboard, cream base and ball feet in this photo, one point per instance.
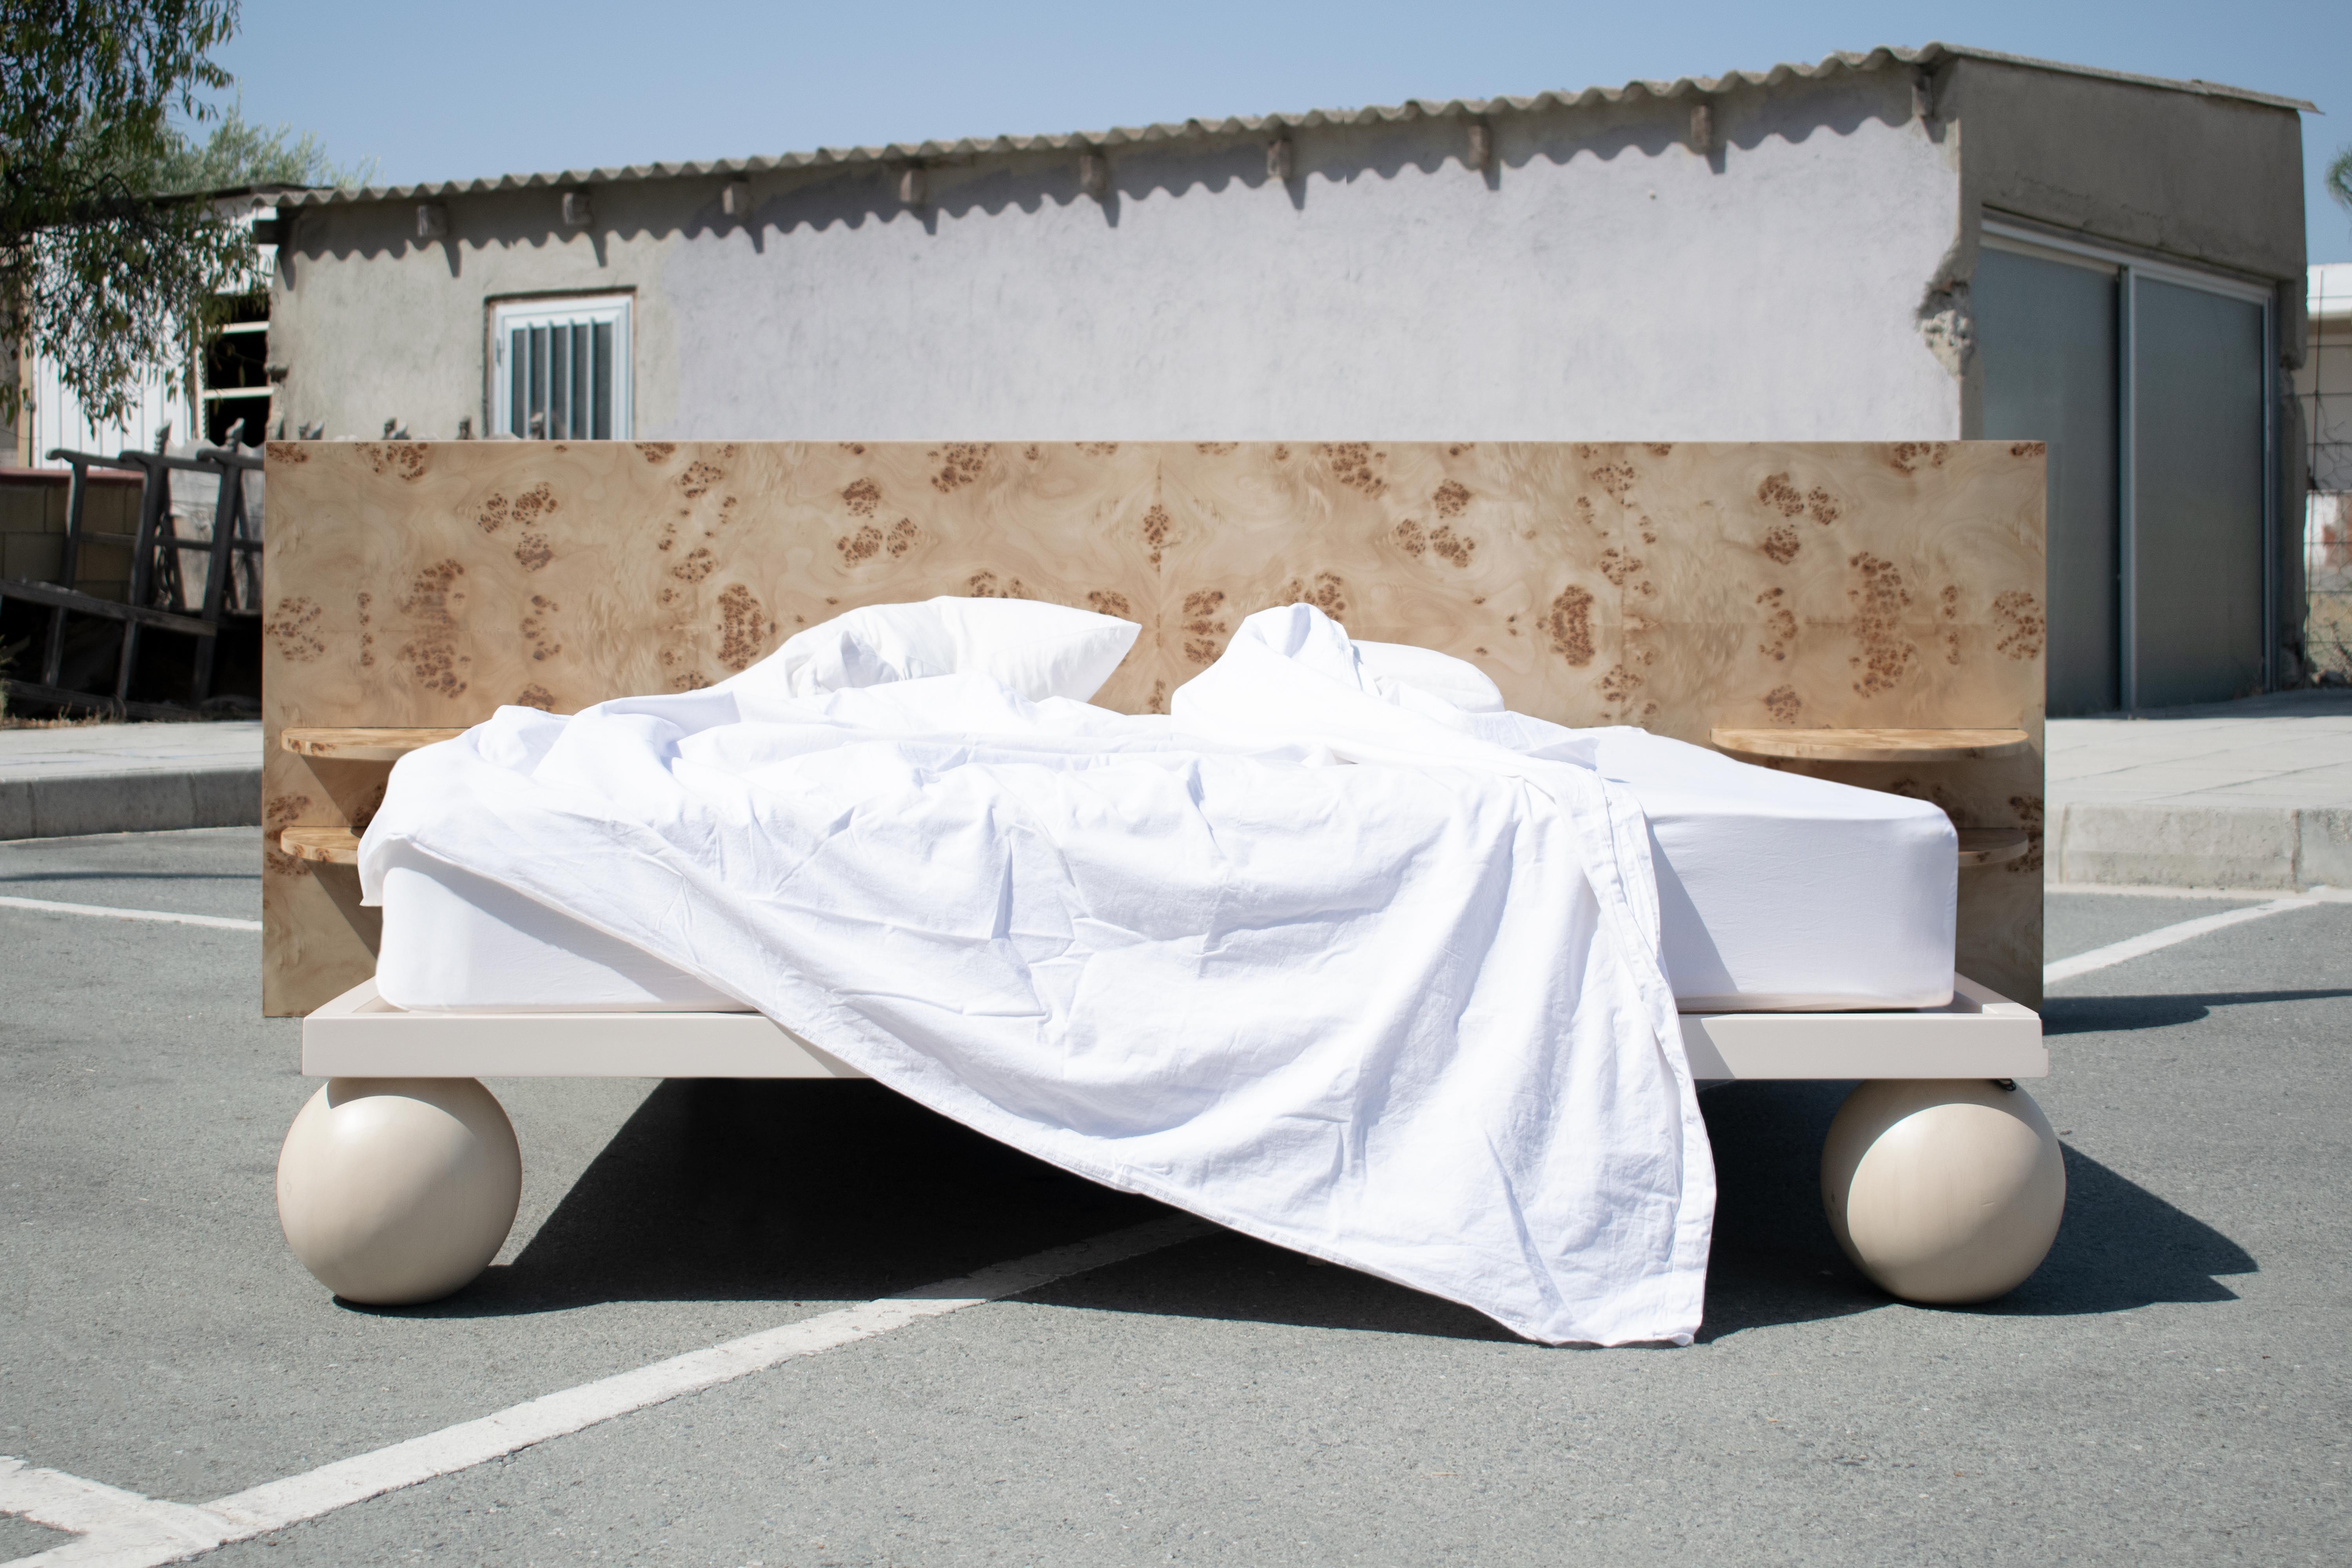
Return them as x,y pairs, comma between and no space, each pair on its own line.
1739,596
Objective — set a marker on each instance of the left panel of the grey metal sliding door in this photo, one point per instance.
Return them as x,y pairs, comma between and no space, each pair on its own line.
2047,333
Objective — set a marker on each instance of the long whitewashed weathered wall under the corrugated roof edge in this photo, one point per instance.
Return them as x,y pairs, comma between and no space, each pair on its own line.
1603,281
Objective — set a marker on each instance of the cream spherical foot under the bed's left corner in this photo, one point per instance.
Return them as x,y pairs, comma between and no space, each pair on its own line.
399,1191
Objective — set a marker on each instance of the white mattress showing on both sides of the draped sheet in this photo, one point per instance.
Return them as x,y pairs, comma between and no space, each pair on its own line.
1777,892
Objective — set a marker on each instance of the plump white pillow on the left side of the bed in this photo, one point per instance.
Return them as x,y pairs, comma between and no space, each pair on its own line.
1038,650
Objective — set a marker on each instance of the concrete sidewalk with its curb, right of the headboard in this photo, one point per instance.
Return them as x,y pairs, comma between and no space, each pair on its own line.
2236,796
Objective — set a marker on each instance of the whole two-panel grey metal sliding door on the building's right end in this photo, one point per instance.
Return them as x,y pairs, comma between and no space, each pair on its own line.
2153,389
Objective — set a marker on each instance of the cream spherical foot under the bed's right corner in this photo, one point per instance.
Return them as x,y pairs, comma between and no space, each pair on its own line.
1944,1191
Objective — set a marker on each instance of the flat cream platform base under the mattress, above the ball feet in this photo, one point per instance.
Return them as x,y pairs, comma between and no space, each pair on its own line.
1979,1036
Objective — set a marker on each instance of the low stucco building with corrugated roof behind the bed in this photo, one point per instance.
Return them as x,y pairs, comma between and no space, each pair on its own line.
1892,246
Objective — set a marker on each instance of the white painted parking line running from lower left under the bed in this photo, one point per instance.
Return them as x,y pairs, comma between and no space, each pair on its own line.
131,1532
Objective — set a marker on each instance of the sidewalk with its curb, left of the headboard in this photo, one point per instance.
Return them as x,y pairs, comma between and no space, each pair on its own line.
128,779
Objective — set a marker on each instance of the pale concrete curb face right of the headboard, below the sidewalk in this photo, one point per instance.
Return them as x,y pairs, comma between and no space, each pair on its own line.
2236,847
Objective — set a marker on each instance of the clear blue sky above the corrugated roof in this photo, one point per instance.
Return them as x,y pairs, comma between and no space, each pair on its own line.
439,91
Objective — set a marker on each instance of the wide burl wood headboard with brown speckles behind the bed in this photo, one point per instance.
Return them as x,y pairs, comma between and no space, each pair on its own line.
1673,587
